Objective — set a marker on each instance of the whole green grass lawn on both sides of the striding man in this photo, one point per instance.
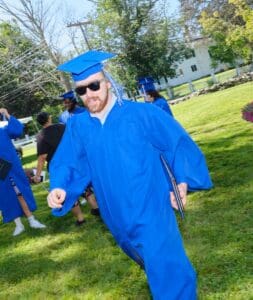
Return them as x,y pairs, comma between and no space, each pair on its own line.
66,262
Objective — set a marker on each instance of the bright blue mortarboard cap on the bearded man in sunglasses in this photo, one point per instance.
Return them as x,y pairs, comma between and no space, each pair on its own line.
85,64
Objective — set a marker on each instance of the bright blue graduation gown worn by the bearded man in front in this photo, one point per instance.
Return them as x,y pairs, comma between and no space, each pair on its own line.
122,160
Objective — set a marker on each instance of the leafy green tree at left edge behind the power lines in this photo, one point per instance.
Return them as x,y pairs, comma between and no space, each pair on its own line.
24,83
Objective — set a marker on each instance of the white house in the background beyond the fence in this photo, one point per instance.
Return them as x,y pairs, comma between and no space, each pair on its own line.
196,65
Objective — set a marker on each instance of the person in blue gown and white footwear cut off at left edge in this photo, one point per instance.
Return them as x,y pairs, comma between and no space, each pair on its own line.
16,197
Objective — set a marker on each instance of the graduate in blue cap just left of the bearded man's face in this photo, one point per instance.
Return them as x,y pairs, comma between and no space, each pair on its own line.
71,107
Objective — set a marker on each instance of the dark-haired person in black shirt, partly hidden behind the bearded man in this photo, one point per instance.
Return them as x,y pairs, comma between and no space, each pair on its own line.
48,140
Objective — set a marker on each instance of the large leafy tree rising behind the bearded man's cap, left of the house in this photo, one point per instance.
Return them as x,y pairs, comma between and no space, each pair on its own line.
141,36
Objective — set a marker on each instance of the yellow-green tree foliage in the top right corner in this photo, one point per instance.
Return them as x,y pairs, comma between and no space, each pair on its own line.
231,32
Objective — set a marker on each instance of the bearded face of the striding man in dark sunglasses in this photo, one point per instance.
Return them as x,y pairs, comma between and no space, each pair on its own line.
95,101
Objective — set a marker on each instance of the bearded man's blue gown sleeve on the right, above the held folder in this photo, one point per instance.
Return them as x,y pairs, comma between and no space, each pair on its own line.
181,152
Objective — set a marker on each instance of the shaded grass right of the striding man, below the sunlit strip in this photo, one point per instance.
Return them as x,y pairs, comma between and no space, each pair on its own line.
218,226
